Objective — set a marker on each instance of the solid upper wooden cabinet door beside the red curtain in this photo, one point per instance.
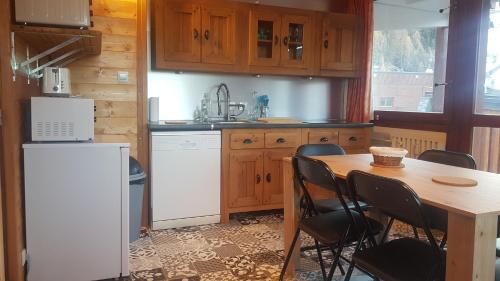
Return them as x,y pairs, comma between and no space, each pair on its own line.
340,39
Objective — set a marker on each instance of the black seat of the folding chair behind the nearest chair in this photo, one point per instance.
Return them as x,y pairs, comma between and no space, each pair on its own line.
329,228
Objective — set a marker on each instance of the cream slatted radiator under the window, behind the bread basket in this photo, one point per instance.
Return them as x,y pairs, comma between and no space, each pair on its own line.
414,141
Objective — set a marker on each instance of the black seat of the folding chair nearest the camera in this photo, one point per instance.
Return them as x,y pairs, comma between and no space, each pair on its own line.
402,259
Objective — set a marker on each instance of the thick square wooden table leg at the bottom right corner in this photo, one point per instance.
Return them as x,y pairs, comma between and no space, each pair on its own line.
471,247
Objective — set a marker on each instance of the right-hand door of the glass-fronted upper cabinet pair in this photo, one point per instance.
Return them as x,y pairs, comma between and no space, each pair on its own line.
296,41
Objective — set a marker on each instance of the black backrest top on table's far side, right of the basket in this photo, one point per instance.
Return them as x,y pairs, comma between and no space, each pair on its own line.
448,158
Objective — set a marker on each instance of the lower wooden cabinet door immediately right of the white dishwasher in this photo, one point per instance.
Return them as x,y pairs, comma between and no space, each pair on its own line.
245,178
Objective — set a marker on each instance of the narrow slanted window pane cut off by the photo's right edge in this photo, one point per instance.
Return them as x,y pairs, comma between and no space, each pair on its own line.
488,96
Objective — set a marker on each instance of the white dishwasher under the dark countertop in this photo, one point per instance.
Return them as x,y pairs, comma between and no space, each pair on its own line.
185,178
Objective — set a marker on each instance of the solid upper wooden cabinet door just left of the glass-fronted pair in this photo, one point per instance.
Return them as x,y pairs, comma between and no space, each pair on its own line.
219,35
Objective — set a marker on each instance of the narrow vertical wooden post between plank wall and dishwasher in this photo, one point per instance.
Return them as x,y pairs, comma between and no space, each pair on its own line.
142,101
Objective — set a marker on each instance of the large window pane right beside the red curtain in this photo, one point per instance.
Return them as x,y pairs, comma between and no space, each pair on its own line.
409,57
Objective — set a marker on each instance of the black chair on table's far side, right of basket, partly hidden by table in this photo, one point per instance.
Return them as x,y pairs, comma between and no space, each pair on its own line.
438,217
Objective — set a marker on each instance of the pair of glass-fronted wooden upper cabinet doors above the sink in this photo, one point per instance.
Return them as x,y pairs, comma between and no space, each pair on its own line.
279,40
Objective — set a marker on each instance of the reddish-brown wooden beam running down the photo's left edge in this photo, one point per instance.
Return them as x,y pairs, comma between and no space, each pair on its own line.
13,95
